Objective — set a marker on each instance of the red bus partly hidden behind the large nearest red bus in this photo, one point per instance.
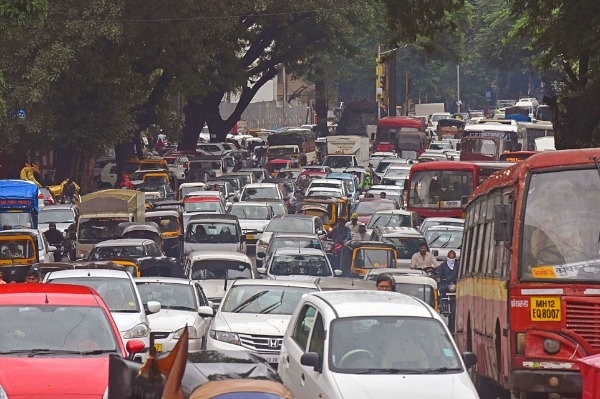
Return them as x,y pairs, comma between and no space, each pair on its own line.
442,188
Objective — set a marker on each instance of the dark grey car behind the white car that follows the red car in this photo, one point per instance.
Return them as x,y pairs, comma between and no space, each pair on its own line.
124,248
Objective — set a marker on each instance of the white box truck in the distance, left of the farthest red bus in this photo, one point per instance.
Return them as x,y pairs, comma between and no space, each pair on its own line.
346,151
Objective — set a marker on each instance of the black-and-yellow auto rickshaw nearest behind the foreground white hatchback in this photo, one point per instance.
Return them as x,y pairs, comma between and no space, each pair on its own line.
358,257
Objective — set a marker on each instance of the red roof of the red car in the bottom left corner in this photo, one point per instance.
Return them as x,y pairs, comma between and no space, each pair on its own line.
49,294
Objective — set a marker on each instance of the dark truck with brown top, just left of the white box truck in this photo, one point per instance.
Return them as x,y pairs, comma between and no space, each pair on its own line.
293,143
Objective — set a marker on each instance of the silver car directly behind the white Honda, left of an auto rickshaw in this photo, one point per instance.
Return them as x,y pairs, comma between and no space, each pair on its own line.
298,264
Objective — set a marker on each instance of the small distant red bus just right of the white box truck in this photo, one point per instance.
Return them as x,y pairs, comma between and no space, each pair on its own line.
389,128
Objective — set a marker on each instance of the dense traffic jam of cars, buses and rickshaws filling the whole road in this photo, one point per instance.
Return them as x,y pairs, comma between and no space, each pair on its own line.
427,260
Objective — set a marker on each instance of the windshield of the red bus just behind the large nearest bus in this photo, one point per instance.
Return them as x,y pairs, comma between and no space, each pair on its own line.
440,188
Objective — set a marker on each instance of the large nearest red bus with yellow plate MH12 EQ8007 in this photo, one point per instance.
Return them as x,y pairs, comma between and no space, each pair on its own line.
528,292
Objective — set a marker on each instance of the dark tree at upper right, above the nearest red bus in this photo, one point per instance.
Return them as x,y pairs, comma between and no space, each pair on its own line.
565,38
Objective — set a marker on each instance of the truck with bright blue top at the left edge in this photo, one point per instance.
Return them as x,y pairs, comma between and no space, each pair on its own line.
19,205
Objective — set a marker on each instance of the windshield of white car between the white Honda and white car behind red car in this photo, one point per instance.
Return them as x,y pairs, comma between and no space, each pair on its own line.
170,296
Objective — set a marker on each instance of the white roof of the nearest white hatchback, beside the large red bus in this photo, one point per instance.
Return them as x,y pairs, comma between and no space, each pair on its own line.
352,303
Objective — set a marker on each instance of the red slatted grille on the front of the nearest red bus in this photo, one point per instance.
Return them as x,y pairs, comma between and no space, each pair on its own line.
583,318
